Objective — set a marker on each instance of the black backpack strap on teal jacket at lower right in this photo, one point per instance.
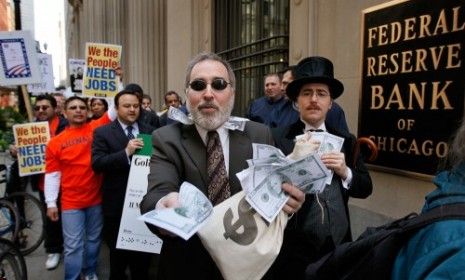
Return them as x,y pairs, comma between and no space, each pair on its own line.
442,212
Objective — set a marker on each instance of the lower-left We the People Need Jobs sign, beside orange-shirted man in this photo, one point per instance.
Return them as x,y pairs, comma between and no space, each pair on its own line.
31,140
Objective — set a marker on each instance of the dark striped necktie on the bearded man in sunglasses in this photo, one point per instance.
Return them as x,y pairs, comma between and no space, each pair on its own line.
218,188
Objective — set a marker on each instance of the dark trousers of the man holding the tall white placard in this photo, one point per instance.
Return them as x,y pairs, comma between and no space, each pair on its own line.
137,262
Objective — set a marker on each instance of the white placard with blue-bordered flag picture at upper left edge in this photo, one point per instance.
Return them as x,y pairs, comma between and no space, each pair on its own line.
18,60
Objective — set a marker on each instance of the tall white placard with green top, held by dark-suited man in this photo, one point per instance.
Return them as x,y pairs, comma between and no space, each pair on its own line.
134,234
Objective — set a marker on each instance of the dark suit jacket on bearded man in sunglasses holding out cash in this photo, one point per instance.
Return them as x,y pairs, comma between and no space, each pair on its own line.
180,155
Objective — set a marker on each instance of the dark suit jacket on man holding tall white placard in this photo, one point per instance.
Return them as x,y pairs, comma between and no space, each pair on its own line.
109,158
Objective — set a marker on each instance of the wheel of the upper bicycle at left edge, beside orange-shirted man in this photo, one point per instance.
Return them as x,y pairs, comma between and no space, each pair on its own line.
32,221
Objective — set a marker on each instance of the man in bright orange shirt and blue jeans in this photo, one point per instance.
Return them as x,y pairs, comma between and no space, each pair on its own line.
69,170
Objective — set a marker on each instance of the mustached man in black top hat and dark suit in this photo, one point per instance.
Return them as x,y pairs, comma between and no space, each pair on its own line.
323,220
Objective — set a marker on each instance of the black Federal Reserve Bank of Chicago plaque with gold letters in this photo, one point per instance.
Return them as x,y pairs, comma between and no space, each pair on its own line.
413,82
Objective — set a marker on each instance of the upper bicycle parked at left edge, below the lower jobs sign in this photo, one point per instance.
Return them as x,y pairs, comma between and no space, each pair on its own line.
22,217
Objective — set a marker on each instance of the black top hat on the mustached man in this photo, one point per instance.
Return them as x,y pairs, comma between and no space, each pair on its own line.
314,69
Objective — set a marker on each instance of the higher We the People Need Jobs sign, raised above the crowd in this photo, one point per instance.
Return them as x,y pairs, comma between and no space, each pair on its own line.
100,79
